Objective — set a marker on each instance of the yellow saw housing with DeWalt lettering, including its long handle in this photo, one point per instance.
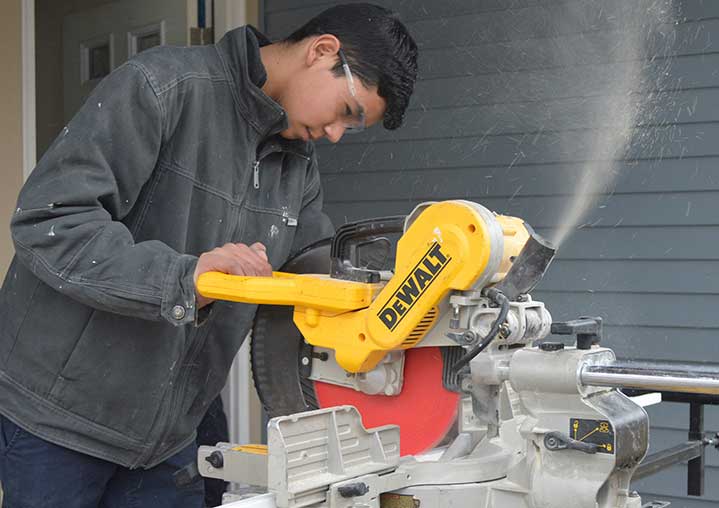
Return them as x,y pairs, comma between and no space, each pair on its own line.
450,245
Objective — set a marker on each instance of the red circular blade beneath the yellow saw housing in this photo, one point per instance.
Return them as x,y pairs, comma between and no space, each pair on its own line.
424,410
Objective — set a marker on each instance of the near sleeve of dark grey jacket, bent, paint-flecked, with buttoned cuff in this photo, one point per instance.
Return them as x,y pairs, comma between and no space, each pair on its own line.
67,227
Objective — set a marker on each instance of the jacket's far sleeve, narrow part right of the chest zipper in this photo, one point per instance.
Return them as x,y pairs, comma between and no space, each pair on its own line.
312,224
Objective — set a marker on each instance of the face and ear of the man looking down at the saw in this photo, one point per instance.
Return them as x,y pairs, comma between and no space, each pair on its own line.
320,103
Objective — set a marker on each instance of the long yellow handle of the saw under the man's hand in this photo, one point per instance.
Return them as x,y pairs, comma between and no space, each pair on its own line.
308,291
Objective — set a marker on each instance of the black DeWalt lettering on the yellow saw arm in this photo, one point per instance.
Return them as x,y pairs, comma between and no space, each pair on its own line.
424,273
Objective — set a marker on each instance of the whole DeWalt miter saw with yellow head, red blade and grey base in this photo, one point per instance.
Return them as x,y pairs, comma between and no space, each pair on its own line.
436,358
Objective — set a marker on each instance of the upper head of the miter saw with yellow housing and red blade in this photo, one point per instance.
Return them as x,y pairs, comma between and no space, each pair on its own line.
378,339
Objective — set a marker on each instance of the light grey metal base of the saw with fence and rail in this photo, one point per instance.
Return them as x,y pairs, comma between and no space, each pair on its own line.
539,426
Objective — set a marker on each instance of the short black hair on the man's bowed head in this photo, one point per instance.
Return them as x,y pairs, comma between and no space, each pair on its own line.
379,50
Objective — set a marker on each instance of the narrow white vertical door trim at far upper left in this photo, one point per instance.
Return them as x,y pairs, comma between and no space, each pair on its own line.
29,150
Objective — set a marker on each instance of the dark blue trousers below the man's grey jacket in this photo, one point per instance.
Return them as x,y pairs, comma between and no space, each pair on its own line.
34,472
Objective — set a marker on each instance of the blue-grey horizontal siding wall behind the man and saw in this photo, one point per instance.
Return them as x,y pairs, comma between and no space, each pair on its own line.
500,83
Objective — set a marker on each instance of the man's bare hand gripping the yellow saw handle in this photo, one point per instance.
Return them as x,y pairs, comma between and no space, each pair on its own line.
234,259
